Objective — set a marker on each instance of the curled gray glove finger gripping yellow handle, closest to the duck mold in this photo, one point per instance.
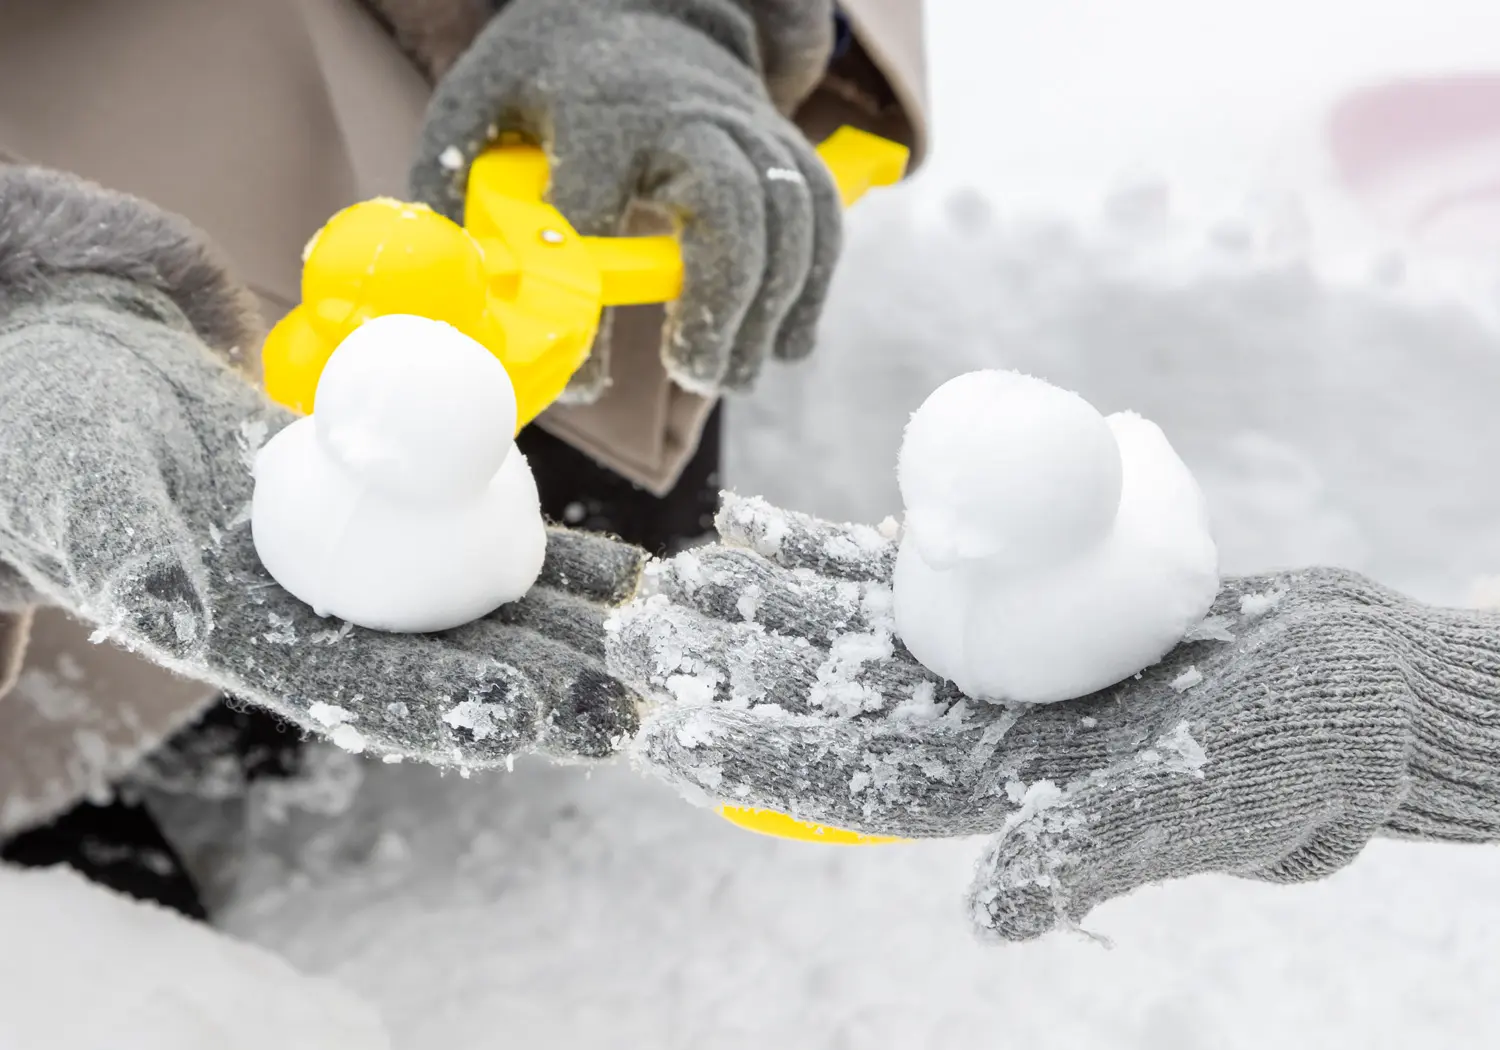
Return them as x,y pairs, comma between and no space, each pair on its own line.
704,176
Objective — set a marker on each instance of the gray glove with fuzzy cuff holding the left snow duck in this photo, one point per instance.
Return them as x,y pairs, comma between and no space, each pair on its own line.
125,454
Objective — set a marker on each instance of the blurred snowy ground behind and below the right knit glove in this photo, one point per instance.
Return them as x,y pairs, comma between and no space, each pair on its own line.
1123,200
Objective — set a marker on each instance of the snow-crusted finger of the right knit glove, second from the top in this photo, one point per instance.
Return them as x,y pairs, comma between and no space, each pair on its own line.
734,584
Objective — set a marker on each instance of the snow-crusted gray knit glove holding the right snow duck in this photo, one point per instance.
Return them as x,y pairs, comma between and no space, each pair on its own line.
1315,712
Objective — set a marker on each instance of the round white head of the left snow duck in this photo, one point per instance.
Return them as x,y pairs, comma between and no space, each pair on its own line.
416,407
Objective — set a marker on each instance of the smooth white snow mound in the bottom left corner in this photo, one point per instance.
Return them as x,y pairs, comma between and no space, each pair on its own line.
86,968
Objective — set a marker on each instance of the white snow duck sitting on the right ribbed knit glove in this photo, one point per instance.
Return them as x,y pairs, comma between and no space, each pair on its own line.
1048,551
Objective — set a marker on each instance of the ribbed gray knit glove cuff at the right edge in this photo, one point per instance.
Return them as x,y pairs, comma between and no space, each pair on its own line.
1453,662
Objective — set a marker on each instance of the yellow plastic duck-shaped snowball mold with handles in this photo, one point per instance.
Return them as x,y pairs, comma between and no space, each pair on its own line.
517,277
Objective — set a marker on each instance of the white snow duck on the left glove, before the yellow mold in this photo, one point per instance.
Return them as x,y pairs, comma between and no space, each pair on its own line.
401,503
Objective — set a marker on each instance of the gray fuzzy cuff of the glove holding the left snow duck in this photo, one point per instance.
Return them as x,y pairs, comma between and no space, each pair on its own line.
55,226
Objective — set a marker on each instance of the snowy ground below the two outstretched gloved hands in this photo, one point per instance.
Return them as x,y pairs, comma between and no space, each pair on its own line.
547,910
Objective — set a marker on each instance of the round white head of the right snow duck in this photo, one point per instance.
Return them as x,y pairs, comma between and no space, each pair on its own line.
1003,466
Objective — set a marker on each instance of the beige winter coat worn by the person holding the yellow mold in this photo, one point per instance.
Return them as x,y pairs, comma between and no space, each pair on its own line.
257,121
